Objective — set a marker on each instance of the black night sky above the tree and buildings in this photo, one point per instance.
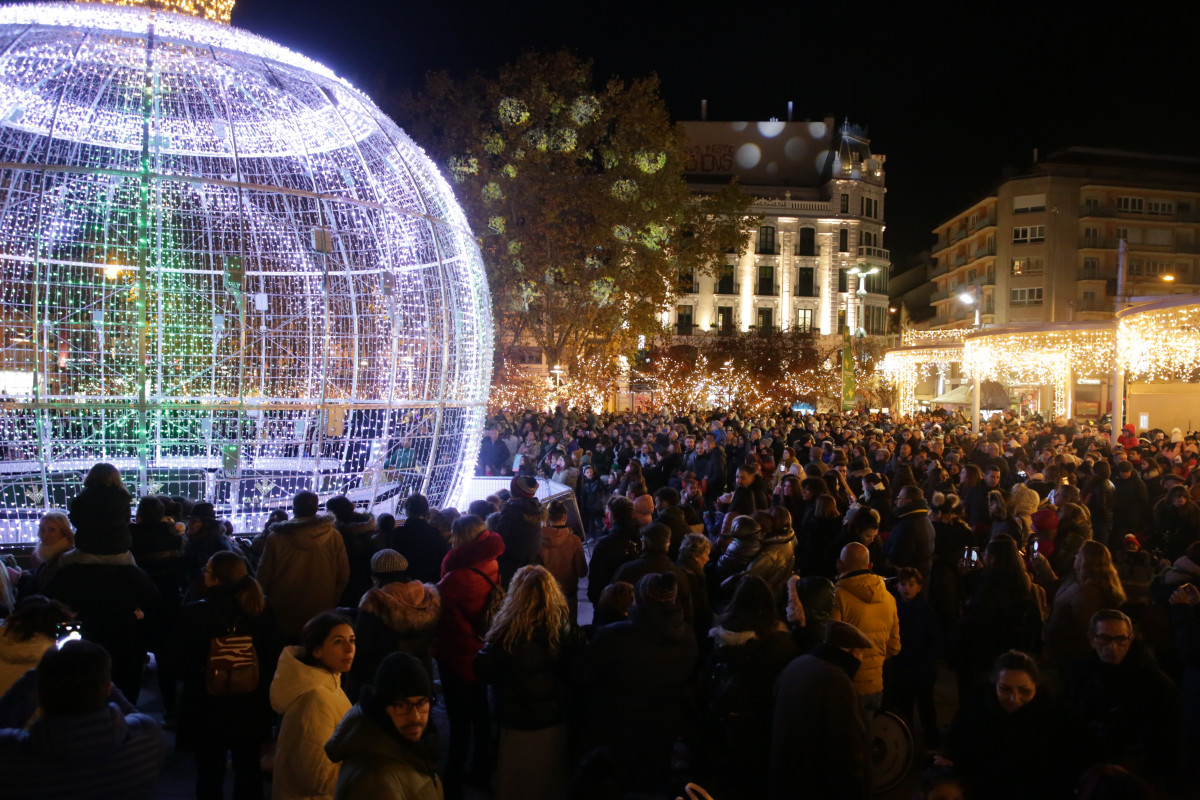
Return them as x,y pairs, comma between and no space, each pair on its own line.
953,94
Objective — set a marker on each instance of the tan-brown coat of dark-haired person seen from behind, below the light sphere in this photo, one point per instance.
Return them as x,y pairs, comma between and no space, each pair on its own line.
304,570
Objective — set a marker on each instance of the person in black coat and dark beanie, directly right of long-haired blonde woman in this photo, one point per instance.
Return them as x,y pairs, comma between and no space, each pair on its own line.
635,679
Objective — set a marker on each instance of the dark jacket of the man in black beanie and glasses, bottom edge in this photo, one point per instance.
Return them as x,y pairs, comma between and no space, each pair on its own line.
377,762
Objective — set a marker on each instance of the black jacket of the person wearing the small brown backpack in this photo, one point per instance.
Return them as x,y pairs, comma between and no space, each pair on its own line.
203,717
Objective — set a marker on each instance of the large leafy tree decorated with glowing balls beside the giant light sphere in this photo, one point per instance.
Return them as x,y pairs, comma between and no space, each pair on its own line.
578,197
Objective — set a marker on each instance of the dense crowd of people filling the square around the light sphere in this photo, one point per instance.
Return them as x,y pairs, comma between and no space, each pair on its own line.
760,588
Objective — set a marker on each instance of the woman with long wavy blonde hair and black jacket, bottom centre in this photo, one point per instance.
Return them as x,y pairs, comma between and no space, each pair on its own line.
526,658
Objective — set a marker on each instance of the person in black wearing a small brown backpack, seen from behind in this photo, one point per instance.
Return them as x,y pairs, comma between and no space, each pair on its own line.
225,648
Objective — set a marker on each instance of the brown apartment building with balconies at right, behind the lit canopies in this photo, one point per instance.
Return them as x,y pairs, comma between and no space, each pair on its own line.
1043,246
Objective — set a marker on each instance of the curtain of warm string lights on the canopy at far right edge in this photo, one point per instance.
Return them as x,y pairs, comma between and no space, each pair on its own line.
1162,344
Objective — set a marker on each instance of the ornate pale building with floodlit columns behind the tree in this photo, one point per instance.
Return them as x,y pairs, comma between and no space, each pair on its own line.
818,262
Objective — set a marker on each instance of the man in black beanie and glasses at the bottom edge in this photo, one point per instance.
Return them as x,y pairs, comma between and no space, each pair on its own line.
381,742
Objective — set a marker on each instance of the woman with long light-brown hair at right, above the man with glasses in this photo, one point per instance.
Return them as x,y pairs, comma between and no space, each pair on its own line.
1091,586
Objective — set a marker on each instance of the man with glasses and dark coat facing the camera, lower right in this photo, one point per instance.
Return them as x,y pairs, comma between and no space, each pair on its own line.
1127,706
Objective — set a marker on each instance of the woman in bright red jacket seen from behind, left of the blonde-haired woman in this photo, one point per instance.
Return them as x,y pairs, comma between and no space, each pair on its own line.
469,574
